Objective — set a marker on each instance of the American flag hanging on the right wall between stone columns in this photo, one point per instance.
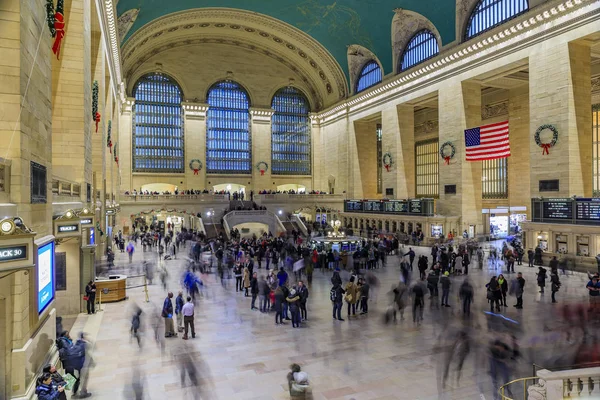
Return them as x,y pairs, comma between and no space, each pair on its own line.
487,142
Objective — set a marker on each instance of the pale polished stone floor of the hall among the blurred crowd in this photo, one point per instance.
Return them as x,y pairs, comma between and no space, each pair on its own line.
242,354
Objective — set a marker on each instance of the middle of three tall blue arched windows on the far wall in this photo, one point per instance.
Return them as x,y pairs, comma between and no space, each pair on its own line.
228,141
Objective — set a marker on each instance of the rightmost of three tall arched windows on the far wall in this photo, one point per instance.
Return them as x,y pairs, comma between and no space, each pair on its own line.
290,136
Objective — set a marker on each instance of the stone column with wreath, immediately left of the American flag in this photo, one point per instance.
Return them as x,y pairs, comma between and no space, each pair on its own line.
460,108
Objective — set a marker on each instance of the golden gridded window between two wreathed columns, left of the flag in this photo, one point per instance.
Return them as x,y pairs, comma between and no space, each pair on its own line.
427,168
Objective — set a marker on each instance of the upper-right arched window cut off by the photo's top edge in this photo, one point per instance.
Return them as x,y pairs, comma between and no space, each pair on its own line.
488,14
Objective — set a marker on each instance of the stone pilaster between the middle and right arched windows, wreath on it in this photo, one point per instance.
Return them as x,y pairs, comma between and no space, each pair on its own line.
261,147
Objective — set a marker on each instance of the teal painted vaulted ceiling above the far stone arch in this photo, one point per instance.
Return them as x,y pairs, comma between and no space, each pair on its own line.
334,24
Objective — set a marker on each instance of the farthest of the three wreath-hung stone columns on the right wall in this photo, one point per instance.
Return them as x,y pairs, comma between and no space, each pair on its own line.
398,125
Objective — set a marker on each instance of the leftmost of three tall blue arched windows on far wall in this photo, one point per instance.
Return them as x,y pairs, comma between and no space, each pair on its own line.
157,125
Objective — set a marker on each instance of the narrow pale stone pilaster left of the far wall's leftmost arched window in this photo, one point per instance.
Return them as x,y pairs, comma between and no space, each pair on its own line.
124,147
